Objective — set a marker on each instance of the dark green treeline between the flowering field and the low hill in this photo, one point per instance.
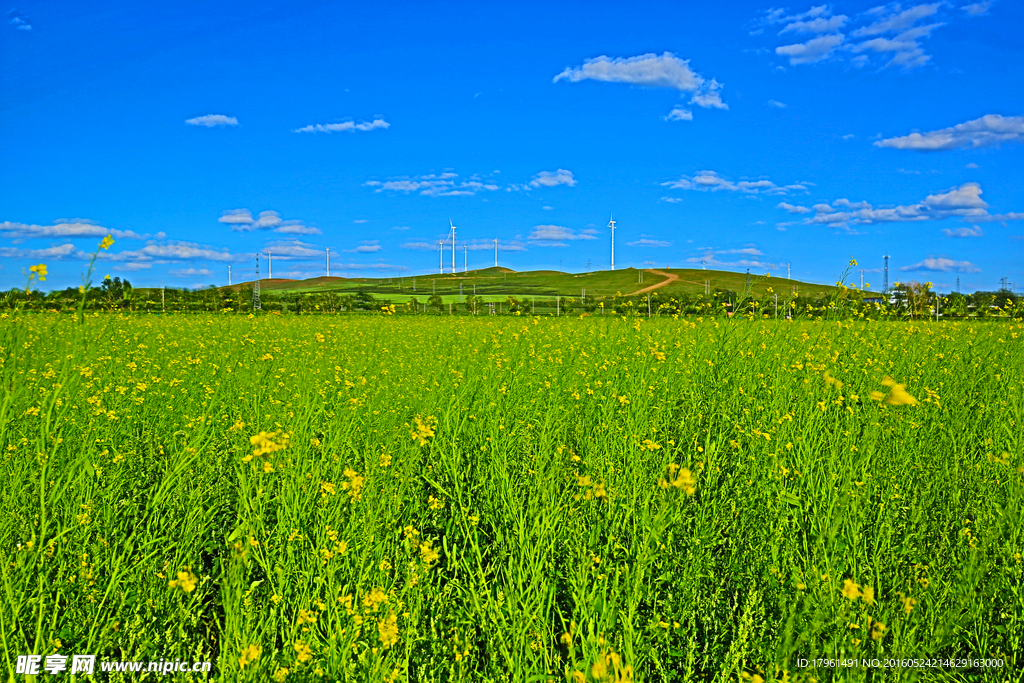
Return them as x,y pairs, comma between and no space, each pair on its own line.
911,301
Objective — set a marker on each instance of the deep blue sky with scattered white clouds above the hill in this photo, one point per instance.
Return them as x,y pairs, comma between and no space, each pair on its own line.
739,136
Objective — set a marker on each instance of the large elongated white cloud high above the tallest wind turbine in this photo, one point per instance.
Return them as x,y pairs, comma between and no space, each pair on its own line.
653,71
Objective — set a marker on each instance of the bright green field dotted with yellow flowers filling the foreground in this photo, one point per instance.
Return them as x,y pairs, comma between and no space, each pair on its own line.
462,499
